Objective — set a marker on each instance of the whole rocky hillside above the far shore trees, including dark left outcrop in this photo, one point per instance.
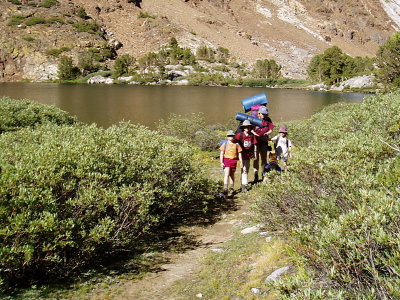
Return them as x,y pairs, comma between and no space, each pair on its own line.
289,31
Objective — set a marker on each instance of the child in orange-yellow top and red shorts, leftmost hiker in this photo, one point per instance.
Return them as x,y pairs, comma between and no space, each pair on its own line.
230,153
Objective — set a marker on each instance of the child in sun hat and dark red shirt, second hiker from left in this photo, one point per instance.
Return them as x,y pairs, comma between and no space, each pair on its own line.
248,143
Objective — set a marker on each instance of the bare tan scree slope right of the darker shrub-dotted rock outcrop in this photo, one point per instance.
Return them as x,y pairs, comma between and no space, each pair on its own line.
289,31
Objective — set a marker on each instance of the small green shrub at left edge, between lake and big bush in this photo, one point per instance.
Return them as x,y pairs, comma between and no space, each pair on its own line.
17,114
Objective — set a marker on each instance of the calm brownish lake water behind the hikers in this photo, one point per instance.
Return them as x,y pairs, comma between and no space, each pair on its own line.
109,104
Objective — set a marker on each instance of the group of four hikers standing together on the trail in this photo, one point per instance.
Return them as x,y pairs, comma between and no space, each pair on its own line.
253,142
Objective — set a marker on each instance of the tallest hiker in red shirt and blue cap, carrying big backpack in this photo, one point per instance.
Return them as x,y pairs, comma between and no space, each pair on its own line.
262,133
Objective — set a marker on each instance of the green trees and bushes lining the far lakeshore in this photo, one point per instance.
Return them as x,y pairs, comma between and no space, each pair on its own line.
331,67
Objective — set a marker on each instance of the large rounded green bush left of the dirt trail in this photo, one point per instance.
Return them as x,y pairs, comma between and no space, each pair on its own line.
72,195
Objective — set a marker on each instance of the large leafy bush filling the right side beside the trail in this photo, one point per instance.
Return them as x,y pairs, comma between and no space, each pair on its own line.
340,200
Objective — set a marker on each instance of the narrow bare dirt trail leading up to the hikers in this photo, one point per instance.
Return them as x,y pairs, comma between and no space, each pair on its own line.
156,285
